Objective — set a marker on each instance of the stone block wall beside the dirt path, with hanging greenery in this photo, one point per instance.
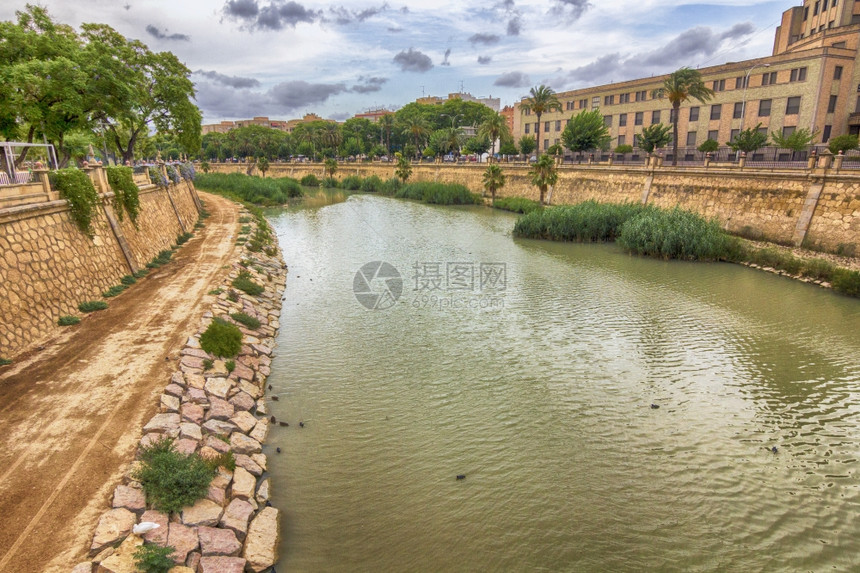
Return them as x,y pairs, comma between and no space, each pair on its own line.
48,266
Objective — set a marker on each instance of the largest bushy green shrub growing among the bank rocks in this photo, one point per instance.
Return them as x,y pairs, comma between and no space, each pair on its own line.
171,480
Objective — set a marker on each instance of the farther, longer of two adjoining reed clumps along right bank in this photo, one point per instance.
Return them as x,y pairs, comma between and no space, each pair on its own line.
589,221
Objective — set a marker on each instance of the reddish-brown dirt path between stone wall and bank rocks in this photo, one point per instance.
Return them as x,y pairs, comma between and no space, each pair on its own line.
71,415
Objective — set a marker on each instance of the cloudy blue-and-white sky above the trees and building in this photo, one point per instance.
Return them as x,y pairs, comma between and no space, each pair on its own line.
285,58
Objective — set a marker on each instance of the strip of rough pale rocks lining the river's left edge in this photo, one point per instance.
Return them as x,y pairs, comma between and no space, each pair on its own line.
234,529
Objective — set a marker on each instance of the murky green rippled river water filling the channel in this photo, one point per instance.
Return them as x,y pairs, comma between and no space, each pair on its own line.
544,402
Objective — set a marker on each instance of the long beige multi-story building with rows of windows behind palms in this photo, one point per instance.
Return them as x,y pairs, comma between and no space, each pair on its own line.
808,82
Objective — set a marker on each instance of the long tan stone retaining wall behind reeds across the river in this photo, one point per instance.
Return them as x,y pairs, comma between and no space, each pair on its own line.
778,206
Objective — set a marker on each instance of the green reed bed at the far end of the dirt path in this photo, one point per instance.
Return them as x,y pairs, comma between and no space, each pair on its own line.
267,192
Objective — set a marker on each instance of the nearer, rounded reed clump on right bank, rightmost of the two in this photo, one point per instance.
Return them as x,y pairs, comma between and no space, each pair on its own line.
676,234
